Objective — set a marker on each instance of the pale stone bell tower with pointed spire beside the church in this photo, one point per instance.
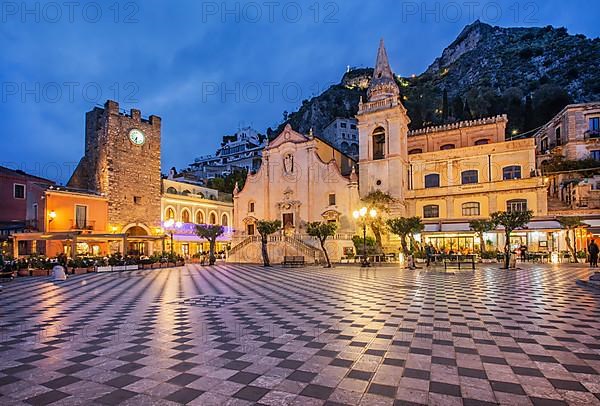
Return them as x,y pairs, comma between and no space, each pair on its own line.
383,128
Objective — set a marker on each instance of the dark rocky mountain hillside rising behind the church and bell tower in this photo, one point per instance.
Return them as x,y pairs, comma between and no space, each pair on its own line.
527,73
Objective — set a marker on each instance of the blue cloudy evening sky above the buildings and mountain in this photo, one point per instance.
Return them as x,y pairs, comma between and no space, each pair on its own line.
208,68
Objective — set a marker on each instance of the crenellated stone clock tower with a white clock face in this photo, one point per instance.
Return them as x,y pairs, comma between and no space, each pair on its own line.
122,162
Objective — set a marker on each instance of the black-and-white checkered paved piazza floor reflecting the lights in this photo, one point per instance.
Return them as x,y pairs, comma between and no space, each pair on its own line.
245,335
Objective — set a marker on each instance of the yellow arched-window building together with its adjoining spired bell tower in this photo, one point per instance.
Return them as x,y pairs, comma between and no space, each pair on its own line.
447,175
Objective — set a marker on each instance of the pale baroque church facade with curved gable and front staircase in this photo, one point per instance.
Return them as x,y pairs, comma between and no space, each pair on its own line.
302,179
